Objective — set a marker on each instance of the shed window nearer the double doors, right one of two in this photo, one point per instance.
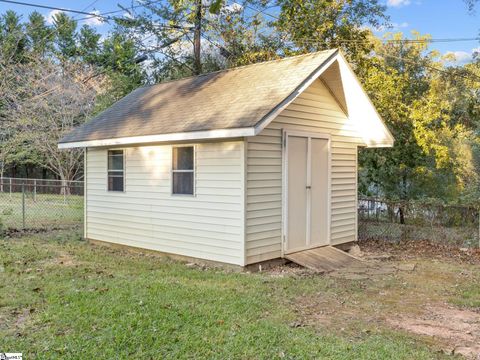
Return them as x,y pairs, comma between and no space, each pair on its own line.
183,170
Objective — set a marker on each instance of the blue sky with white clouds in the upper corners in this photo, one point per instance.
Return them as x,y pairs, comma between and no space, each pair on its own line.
439,18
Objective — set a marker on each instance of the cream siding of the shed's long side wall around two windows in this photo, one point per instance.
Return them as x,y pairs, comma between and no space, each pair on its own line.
208,225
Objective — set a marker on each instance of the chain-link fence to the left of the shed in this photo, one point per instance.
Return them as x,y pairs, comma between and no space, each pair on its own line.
27,204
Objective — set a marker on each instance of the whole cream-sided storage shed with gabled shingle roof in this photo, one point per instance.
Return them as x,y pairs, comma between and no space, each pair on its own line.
238,166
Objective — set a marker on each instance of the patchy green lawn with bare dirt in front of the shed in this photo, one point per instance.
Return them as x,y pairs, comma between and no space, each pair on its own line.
63,298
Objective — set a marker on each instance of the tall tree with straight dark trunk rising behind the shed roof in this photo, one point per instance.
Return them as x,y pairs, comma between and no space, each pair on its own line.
171,33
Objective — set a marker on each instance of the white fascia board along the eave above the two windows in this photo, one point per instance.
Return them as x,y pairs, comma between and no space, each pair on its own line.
148,139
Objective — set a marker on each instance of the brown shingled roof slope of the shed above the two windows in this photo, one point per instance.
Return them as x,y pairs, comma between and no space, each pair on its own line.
225,103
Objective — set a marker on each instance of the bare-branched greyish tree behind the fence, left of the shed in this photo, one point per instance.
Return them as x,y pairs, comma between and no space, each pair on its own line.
56,98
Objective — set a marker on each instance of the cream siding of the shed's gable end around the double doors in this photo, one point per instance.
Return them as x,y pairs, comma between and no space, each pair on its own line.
315,110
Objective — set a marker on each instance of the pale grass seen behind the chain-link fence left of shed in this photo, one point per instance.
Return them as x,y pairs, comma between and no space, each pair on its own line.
46,211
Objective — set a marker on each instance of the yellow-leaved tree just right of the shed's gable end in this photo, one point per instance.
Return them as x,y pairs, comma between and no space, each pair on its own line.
421,102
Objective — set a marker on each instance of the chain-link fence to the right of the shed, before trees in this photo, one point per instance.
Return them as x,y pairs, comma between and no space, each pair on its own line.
415,220
